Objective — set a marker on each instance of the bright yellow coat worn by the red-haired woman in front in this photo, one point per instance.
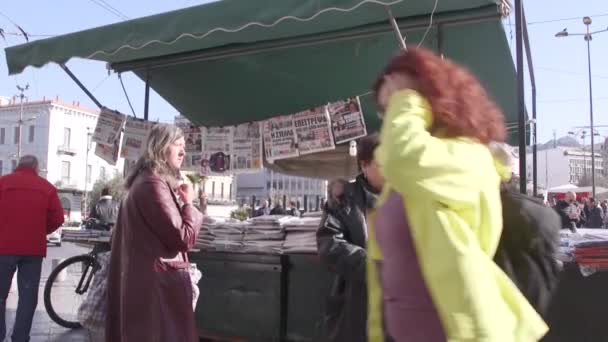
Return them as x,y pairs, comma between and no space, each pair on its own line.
452,197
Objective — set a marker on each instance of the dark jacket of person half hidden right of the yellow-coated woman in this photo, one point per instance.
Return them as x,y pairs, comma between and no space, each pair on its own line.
528,247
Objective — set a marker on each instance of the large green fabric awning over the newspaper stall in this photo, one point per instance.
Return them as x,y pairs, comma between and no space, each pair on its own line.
236,61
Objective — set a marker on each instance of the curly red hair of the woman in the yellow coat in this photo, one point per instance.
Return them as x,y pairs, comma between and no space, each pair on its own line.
461,107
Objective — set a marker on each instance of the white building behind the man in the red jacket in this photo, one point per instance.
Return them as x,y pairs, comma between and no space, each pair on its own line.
59,135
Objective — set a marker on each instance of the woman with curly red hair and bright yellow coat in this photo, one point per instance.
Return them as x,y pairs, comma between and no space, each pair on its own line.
439,218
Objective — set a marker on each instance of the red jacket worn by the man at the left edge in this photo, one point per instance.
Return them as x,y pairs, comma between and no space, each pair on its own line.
29,210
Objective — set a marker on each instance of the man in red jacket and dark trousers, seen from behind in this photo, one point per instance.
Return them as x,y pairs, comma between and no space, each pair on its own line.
29,210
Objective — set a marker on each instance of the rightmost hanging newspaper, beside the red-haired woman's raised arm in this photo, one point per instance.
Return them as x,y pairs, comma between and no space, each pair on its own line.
347,122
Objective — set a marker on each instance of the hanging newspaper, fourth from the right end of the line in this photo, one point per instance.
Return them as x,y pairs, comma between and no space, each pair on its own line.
247,148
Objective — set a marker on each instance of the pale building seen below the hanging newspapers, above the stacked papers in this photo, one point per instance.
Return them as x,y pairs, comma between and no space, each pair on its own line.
309,193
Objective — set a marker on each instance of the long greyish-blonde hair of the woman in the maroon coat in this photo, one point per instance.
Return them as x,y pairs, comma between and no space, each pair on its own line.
154,158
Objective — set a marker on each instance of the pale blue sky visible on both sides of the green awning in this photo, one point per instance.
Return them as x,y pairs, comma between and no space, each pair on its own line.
560,63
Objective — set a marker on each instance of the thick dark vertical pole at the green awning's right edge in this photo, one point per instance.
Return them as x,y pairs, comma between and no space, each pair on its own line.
521,105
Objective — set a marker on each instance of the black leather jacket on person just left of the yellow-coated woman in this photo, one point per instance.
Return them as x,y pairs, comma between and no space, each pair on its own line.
341,241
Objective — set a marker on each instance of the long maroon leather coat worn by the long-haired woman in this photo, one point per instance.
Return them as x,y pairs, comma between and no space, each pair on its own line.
150,299
